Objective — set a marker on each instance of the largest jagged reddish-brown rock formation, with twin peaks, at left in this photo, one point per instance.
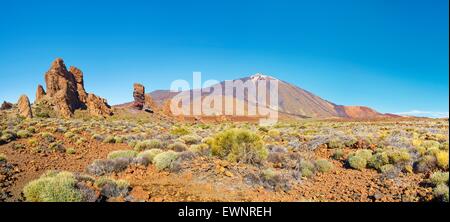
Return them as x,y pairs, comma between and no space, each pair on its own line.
66,93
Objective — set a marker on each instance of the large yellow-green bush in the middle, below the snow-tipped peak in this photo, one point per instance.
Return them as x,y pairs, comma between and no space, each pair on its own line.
239,145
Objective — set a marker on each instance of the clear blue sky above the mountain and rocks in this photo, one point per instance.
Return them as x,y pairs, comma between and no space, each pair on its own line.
391,55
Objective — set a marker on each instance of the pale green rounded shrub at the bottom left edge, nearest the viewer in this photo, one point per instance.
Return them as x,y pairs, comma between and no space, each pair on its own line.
53,187
